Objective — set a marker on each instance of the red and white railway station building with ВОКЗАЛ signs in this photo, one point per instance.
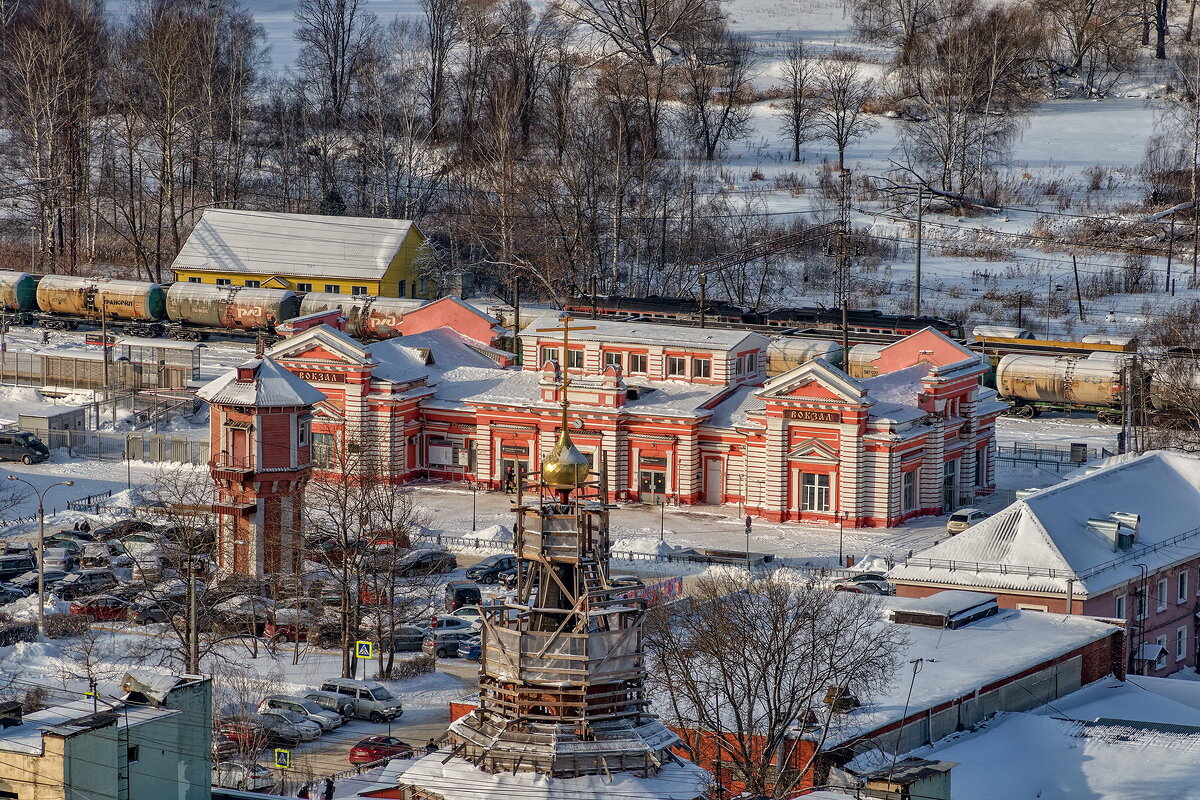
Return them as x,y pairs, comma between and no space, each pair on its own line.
676,416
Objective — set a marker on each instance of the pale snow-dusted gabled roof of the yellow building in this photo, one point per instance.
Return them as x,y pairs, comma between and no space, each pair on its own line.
267,243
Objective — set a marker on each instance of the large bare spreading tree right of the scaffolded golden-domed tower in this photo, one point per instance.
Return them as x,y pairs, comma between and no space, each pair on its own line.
746,661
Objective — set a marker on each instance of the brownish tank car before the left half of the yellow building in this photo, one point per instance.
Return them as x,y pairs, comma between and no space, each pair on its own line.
197,310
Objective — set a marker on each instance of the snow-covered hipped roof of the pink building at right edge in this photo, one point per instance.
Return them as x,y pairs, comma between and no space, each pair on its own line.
1043,542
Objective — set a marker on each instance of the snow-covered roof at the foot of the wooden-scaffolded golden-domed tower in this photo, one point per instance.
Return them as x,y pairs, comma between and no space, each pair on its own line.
457,778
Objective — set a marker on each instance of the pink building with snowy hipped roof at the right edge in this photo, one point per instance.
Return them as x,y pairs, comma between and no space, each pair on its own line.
1123,542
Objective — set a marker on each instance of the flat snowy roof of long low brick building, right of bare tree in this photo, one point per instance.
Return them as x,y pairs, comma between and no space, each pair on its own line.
953,664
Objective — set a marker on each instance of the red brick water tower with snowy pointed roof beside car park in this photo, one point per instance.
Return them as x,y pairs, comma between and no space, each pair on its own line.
260,418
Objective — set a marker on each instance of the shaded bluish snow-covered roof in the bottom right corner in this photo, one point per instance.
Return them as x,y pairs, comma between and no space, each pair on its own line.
1111,741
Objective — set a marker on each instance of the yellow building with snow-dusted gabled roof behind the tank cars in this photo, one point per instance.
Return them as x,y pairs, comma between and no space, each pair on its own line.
304,252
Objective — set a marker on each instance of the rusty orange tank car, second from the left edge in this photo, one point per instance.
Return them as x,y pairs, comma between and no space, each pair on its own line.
67,300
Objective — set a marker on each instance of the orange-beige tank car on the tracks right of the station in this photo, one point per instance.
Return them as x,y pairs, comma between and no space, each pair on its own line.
1036,383
